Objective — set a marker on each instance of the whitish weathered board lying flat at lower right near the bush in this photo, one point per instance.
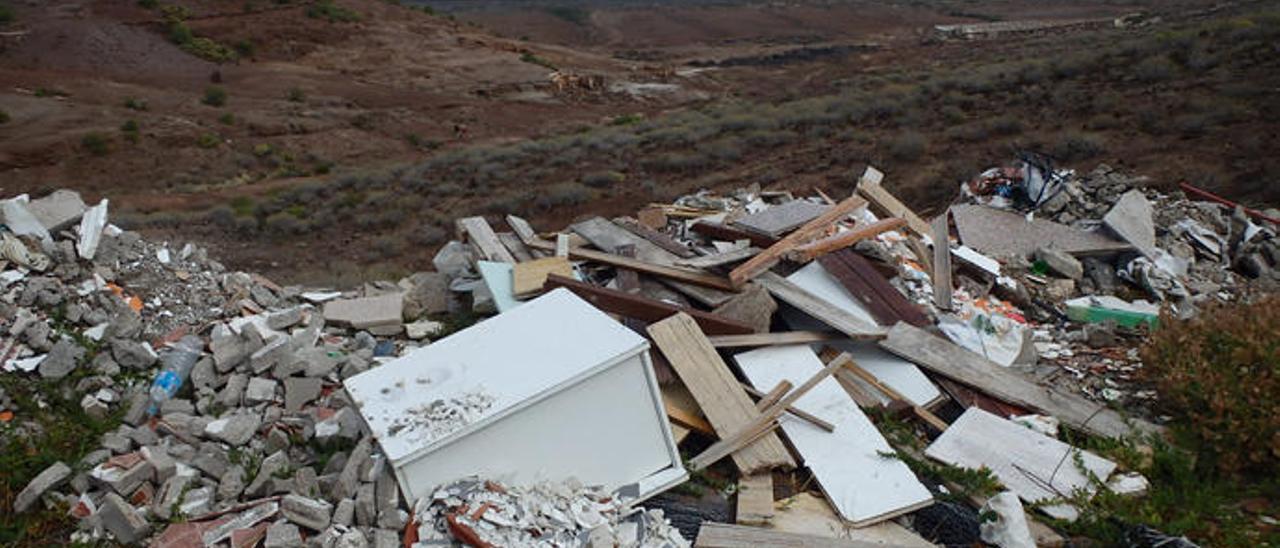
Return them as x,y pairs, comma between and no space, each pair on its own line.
1031,464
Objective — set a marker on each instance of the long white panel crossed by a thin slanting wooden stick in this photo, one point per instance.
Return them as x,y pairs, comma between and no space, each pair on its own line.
862,485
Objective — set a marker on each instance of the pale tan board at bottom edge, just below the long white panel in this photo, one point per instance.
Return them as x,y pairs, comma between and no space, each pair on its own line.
811,515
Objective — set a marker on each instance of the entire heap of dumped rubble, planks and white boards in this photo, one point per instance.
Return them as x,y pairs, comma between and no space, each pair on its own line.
746,336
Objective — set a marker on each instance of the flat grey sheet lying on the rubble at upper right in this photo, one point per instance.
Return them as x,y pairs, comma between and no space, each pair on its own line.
1003,234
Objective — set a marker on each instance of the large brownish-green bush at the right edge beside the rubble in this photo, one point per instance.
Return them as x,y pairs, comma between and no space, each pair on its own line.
1219,376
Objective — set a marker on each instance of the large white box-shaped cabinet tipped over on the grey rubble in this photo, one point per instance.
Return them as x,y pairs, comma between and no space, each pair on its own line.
563,391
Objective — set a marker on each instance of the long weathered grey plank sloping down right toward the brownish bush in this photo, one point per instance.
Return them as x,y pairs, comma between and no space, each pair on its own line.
970,368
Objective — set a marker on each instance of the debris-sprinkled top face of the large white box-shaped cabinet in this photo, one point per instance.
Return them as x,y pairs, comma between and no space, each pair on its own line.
509,360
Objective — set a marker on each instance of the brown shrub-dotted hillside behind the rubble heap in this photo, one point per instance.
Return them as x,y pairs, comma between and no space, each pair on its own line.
345,149
